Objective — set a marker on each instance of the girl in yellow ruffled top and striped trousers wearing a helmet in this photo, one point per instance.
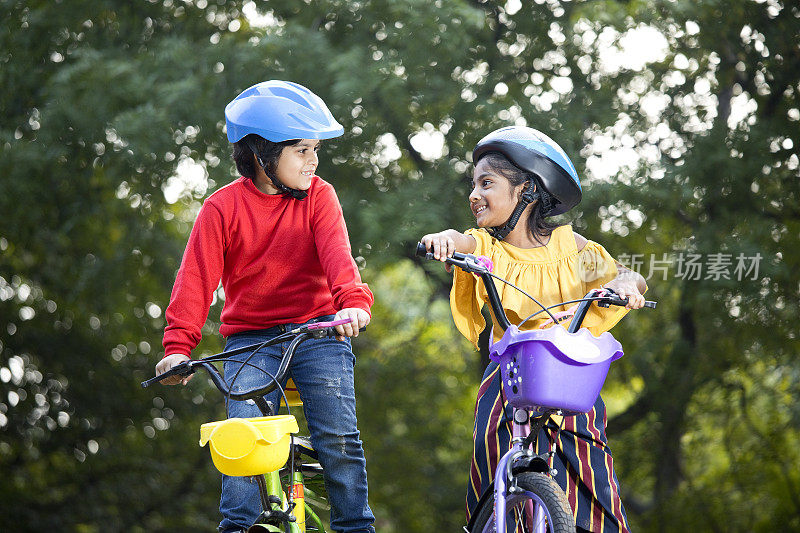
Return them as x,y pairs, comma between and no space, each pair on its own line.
521,177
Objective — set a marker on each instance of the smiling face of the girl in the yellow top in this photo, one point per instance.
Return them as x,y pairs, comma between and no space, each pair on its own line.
493,198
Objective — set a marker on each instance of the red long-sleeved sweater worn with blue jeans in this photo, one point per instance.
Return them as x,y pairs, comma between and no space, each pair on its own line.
280,260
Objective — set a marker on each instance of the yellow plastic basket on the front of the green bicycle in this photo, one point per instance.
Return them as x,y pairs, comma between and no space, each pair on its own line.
249,446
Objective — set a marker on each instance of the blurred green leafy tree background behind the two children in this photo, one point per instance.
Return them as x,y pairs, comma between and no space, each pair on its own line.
682,119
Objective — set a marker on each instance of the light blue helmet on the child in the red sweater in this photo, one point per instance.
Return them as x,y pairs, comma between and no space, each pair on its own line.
280,111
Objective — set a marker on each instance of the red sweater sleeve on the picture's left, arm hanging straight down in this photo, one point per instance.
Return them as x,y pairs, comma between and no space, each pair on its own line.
198,277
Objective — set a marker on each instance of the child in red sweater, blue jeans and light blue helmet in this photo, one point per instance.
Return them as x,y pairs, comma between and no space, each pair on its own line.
277,239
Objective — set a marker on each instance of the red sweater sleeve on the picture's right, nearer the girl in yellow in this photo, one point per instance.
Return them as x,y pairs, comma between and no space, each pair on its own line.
335,255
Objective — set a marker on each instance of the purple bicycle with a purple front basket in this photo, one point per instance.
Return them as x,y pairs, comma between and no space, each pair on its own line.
524,497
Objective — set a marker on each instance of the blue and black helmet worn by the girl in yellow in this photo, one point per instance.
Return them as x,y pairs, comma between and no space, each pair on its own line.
533,151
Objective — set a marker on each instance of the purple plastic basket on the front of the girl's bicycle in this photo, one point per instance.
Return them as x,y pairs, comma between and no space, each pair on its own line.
553,369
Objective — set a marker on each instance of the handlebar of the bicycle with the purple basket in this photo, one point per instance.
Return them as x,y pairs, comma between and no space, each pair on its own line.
472,264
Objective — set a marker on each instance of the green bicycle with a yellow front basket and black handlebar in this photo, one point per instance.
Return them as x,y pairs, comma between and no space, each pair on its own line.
265,447
